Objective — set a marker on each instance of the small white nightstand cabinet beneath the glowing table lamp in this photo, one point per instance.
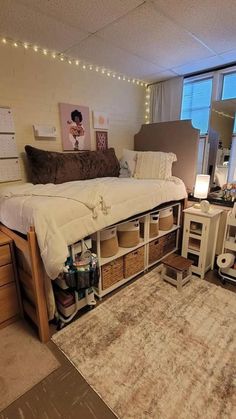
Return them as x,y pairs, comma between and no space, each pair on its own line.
199,238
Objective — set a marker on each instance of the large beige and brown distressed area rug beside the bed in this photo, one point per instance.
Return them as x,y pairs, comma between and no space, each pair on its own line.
150,351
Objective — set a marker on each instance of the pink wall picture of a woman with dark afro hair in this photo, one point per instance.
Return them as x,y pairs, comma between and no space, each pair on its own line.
75,127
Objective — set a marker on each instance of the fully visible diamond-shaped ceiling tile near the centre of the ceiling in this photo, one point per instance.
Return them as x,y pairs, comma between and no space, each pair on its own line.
153,37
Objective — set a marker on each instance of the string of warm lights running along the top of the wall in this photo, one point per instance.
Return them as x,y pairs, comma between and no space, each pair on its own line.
67,59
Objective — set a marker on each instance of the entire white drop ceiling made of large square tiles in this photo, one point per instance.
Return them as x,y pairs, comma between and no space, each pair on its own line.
151,40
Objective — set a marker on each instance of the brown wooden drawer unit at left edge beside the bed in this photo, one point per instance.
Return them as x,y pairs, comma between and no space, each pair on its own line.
10,303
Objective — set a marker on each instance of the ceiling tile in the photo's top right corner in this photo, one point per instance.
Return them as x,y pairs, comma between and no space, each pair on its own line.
211,21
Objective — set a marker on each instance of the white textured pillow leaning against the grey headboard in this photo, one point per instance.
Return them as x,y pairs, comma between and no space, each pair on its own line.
154,165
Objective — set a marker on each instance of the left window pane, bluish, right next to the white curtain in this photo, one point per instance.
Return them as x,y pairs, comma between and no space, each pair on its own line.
196,102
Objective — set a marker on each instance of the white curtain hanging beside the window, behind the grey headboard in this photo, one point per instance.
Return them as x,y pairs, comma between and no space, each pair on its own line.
165,100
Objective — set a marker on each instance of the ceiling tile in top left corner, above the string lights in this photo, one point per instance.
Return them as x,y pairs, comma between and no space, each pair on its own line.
21,23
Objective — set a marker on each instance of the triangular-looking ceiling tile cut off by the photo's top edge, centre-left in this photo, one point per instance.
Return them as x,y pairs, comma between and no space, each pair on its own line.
88,16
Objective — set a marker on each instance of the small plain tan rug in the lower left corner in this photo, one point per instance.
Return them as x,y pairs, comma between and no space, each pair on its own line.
24,362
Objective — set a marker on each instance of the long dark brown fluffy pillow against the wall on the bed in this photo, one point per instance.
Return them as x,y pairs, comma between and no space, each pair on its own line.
54,167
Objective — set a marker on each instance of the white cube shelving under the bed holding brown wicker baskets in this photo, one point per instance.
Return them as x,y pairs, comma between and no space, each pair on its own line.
148,252
